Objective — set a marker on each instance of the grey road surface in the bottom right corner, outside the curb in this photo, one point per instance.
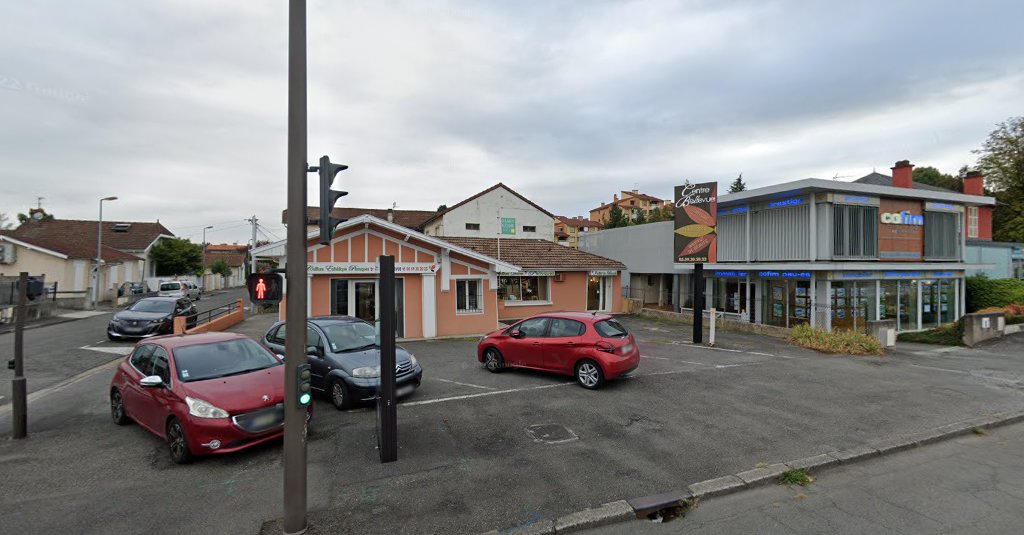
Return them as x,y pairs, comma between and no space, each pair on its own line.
970,485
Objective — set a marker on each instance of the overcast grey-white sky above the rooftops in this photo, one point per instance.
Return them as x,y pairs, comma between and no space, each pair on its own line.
180,108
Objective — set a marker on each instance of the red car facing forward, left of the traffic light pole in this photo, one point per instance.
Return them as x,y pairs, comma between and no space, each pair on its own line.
204,394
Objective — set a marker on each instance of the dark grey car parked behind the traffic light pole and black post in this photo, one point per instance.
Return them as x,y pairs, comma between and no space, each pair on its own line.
345,360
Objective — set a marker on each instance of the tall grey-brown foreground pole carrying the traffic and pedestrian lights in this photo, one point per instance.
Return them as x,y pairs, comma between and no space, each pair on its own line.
295,314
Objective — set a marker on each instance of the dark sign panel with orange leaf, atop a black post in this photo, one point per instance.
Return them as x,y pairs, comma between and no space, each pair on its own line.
697,219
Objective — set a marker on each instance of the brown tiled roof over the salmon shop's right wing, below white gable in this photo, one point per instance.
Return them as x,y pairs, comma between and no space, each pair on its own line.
532,255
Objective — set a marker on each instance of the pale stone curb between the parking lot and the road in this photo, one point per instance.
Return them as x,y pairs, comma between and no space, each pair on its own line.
643,507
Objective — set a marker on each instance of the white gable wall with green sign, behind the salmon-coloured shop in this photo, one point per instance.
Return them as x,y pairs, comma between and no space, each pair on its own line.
486,210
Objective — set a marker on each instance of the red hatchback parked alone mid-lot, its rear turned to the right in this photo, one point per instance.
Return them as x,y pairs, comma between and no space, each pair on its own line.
592,348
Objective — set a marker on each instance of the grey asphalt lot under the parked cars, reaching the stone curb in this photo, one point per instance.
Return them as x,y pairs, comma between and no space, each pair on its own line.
482,451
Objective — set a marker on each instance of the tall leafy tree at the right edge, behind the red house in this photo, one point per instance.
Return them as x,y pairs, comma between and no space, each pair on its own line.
1002,161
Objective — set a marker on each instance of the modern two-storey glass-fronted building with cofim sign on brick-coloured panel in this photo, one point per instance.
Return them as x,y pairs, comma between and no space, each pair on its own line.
837,255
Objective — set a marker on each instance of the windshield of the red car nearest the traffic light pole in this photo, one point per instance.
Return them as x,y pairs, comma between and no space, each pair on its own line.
209,361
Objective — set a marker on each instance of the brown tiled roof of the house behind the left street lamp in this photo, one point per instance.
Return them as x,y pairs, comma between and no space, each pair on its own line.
138,236
